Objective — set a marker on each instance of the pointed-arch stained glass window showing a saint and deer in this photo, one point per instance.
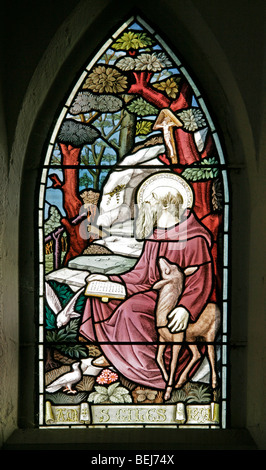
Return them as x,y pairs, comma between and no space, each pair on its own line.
133,246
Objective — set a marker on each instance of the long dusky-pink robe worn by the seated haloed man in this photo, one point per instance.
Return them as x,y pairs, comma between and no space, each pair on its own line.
125,330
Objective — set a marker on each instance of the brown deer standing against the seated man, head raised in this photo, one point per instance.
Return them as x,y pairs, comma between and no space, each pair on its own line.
170,288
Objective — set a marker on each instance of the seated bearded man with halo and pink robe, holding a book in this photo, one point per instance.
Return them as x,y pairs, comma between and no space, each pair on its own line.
126,330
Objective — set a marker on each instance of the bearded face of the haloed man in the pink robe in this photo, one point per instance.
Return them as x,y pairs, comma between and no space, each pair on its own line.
150,212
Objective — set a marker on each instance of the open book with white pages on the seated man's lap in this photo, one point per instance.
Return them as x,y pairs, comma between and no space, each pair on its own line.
106,290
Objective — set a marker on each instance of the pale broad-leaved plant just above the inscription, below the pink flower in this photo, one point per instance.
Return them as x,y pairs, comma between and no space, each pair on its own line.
114,393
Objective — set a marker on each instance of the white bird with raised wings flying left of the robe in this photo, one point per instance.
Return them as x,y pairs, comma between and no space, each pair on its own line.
65,314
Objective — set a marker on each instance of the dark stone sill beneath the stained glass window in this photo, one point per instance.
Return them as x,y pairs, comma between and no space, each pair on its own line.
121,439
